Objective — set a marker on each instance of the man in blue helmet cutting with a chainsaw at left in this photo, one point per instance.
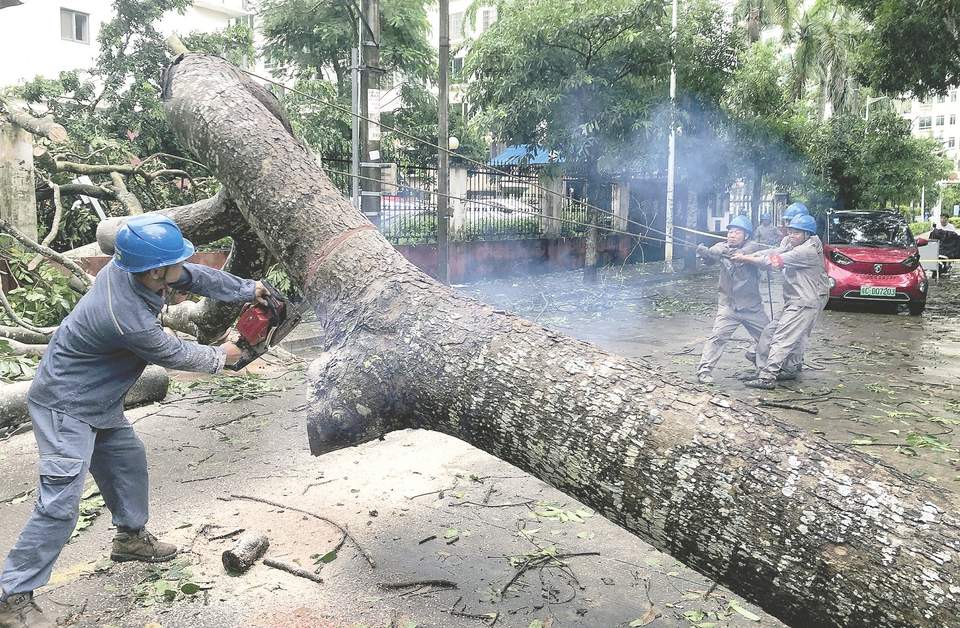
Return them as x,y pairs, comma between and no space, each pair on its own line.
76,401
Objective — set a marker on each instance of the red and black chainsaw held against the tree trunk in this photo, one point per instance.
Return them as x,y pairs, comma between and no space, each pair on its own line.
261,326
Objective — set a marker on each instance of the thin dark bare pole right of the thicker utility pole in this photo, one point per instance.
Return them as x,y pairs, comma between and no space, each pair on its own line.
443,134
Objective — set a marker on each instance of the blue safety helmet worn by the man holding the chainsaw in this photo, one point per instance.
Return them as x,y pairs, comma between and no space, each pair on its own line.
150,241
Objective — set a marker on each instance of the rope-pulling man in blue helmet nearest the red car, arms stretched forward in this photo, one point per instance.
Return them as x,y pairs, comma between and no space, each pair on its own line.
805,293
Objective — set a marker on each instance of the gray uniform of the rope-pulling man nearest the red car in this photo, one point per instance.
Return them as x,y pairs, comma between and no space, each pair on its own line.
805,293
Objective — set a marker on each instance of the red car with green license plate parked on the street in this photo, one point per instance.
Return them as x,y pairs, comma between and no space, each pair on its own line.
871,256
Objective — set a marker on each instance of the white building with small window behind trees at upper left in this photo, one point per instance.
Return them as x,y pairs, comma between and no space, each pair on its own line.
46,37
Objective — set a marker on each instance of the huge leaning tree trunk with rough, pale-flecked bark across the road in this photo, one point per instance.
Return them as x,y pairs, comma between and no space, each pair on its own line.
816,534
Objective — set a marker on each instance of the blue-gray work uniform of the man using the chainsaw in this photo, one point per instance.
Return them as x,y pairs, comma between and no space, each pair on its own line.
76,405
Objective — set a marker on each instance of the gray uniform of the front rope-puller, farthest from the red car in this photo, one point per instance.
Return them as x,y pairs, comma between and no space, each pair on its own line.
739,302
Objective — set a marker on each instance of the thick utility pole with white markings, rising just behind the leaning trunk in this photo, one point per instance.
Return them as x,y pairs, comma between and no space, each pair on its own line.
370,109
